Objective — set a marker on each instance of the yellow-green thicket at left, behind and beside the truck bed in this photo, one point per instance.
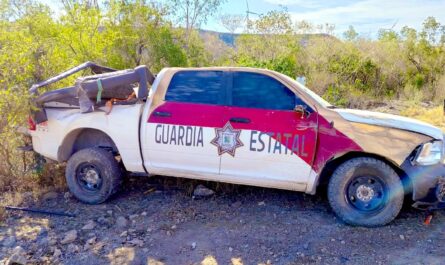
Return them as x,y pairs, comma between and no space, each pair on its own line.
35,45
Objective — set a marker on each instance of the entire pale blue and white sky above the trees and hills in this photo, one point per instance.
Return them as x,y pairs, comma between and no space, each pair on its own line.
366,16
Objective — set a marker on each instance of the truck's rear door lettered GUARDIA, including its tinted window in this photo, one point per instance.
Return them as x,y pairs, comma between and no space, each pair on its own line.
181,128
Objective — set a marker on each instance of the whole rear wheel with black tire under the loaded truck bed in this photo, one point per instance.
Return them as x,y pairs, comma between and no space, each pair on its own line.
93,175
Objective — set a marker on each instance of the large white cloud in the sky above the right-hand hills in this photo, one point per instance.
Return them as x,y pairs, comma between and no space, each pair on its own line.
370,15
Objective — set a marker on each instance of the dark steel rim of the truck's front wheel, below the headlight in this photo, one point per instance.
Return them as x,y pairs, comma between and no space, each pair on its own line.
367,194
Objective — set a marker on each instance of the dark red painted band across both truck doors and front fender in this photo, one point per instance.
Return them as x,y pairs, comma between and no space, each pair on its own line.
327,144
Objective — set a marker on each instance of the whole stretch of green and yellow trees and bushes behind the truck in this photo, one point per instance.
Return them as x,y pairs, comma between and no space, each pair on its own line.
36,44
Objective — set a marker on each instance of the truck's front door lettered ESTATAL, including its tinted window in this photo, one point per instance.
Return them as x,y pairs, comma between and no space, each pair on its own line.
267,142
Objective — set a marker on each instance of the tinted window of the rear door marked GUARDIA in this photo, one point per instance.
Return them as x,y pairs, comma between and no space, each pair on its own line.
196,87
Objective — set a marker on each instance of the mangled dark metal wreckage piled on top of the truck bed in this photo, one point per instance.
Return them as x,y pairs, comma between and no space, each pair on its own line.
88,91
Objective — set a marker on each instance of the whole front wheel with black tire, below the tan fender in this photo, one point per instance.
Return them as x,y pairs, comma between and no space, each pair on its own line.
365,192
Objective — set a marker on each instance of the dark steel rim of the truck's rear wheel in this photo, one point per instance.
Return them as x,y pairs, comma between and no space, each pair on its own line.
89,177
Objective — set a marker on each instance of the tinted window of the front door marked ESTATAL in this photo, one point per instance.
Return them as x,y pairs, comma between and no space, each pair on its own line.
253,90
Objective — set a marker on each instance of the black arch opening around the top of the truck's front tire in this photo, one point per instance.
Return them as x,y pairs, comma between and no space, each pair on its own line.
335,162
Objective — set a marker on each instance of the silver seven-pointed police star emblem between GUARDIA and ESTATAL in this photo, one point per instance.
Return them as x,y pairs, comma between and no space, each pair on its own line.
227,139
